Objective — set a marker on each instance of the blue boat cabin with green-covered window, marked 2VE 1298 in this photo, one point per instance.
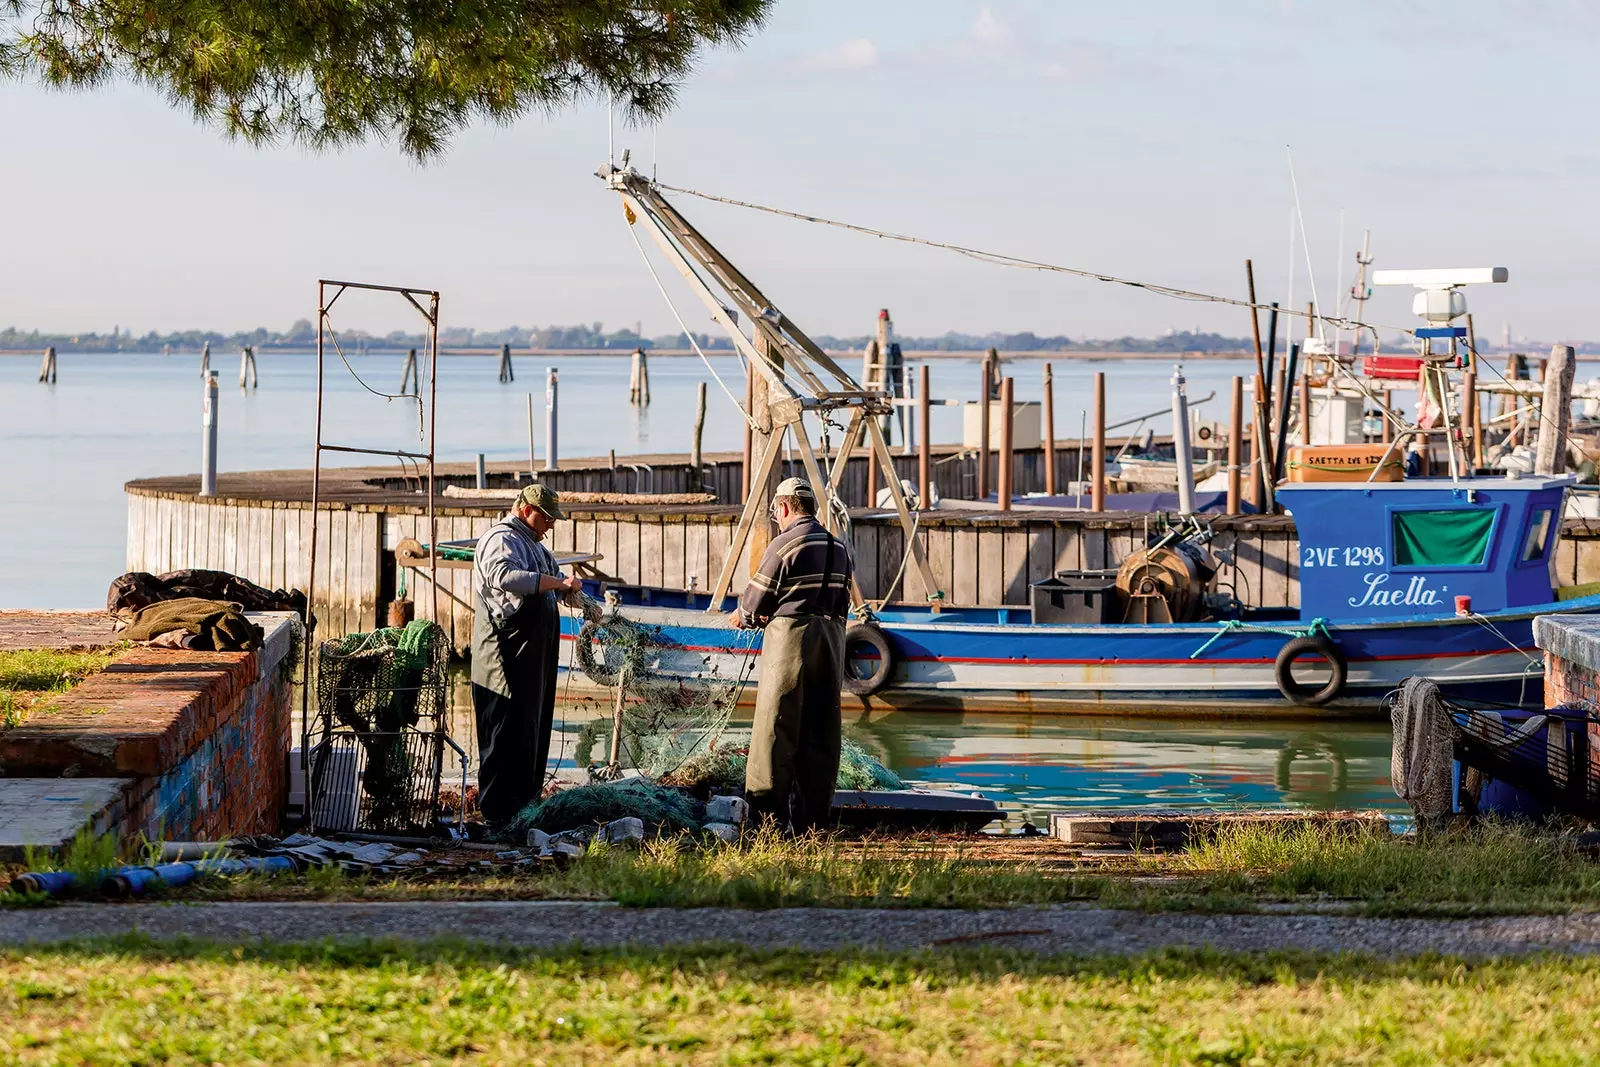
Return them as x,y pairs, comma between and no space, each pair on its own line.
1412,548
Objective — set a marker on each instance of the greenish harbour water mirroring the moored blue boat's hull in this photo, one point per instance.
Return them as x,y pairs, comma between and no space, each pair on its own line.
1041,764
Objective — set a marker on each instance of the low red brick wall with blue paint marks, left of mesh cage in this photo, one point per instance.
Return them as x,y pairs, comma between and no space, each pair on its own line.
201,738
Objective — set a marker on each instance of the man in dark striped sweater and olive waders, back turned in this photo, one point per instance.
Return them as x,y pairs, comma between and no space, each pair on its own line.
801,596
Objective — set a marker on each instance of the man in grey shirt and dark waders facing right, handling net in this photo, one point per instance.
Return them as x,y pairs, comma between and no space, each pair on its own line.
516,636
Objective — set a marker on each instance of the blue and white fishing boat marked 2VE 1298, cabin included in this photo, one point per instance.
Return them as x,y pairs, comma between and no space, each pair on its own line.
1426,577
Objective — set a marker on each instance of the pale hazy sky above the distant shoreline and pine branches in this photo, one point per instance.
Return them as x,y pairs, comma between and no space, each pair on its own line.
1145,140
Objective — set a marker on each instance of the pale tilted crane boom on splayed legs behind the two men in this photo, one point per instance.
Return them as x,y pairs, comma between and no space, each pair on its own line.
799,374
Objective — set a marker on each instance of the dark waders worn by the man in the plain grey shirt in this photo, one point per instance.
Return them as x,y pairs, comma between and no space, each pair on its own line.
514,700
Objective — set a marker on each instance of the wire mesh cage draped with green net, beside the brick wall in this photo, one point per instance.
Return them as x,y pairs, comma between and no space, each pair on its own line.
382,705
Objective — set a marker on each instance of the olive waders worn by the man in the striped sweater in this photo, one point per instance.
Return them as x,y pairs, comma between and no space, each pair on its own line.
794,746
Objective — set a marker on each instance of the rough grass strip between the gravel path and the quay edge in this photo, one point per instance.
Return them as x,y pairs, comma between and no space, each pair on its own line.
1486,871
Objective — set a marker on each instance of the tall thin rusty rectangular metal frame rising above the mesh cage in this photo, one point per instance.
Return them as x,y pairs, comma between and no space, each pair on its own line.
426,415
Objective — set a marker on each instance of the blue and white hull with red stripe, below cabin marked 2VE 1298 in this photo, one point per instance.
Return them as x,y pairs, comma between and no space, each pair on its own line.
966,660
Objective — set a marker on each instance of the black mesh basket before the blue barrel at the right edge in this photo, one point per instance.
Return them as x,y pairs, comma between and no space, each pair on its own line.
1546,754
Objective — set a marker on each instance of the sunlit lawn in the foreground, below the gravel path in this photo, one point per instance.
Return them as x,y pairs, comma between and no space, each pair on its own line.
137,1004
